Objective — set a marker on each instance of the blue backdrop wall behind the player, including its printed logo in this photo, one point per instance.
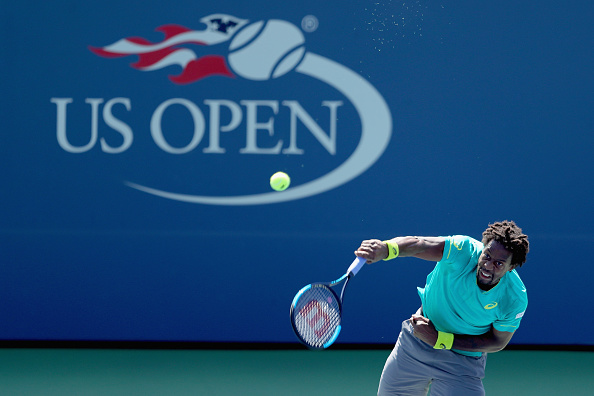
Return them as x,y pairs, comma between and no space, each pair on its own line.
138,139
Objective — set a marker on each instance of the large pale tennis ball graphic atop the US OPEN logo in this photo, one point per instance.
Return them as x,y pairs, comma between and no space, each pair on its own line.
265,50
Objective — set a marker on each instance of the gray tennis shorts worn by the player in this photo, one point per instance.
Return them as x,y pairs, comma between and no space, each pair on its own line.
415,368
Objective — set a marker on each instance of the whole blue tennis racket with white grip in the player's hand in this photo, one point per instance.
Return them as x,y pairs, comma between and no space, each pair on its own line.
316,310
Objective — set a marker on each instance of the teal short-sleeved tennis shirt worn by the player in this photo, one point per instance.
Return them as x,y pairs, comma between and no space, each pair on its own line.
454,302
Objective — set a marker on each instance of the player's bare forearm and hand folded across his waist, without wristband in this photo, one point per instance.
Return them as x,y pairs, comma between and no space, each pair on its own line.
491,341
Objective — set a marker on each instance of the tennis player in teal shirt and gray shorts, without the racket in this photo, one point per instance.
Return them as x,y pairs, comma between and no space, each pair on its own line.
472,303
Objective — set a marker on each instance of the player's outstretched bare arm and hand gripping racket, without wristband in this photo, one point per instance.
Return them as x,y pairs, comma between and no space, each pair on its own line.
426,248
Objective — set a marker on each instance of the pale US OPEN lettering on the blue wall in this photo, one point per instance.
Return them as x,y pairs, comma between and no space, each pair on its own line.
224,116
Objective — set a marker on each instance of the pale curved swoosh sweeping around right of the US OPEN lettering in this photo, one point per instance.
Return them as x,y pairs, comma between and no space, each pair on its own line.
376,123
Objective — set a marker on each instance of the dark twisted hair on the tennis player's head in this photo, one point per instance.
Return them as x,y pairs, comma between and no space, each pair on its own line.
511,237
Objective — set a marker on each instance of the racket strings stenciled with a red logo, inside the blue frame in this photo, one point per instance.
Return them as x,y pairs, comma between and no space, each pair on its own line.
317,316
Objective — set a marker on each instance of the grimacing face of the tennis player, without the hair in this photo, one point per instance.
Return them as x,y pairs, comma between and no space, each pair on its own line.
494,263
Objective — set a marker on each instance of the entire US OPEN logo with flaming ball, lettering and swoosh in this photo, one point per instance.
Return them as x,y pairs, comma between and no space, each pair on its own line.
260,52
